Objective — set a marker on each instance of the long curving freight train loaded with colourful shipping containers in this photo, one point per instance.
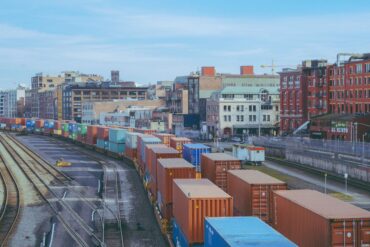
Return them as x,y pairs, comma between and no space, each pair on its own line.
205,199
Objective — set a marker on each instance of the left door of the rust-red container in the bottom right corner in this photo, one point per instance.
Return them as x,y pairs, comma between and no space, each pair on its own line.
343,233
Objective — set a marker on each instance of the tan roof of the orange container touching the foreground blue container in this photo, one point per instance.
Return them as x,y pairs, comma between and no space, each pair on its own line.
200,188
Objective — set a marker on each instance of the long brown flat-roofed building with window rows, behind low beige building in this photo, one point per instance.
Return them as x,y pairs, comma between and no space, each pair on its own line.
75,95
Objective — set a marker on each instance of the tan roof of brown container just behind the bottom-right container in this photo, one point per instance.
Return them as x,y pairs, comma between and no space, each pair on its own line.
255,177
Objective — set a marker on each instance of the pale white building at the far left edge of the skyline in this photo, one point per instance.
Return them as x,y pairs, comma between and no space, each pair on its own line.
12,102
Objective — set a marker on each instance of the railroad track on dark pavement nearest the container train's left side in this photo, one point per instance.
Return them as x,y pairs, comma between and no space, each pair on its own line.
107,234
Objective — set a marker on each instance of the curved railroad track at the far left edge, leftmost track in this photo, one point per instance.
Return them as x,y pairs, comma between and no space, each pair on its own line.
11,204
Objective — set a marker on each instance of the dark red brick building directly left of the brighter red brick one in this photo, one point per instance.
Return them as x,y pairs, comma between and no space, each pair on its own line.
303,94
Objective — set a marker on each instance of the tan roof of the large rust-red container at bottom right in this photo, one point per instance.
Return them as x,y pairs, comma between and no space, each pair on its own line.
324,205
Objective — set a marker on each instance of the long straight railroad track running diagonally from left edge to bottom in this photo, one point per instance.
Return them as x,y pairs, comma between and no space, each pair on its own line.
38,174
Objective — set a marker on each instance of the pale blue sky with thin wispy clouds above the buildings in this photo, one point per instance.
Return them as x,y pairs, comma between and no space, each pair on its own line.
149,41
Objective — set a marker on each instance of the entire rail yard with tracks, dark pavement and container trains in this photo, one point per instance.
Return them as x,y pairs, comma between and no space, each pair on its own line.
84,185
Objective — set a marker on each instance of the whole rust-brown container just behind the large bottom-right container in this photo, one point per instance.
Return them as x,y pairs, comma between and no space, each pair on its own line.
253,193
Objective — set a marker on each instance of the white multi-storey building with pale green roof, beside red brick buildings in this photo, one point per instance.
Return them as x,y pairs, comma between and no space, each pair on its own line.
243,111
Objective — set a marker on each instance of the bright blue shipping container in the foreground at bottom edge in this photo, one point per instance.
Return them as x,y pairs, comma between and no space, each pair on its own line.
241,231
